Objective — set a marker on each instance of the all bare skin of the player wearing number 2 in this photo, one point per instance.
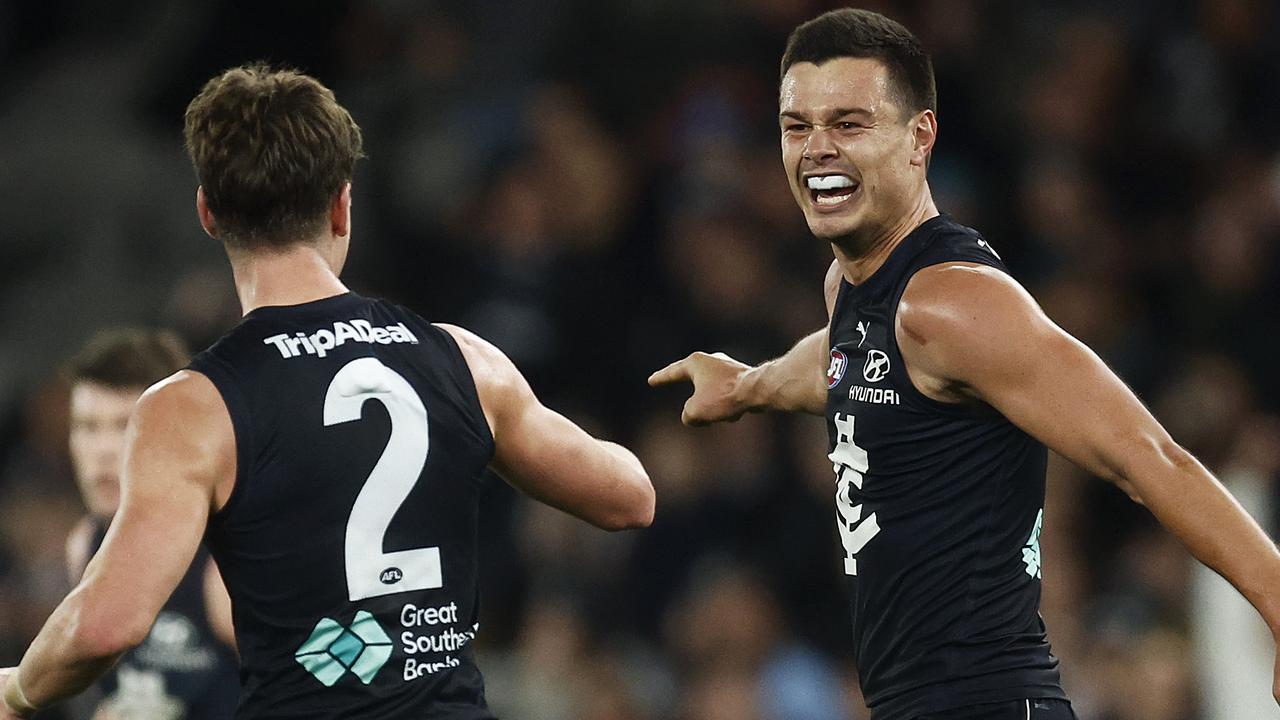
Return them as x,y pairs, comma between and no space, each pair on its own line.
180,468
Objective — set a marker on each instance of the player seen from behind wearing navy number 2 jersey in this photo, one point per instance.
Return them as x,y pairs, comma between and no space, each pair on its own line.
330,450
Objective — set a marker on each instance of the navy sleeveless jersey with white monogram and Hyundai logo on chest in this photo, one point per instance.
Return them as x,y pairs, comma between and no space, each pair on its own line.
939,509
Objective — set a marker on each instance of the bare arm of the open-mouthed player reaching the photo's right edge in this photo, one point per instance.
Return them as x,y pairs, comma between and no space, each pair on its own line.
972,334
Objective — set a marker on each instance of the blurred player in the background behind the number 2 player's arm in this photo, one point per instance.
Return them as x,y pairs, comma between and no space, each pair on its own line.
186,667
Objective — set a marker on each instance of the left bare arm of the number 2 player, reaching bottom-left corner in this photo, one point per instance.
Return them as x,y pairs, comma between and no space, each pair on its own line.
179,445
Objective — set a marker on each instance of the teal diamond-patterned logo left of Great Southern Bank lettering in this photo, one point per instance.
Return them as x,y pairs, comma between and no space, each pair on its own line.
333,650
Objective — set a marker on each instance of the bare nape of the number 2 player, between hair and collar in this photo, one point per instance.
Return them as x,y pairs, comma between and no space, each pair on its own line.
287,277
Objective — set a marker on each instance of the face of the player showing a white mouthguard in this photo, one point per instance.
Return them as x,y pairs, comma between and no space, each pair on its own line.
854,156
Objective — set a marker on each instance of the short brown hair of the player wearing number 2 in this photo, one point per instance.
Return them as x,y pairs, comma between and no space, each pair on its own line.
272,148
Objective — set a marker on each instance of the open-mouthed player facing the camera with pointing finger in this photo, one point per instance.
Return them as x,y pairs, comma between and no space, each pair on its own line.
944,384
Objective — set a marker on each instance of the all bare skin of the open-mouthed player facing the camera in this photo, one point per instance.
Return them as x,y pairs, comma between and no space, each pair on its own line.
968,334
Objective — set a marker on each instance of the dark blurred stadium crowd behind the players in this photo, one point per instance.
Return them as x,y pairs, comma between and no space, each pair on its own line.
595,185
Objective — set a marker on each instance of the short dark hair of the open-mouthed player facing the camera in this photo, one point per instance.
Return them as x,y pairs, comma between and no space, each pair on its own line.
853,33
